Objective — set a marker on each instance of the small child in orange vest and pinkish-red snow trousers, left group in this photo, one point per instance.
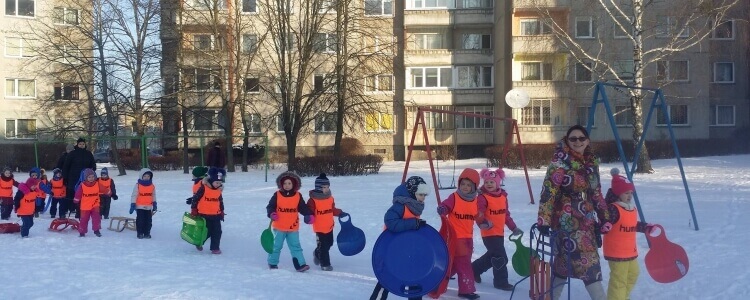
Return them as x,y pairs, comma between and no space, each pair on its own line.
87,196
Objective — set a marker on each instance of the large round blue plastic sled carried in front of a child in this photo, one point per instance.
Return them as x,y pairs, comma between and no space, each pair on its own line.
410,263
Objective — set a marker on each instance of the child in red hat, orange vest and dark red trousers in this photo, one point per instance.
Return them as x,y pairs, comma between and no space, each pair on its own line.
461,208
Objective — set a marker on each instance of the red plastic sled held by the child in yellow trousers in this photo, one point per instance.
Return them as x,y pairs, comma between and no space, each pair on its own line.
666,261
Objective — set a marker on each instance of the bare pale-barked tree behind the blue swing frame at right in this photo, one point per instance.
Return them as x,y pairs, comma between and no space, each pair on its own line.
651,39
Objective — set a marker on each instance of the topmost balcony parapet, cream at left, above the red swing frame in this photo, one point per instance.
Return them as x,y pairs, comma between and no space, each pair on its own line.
445,17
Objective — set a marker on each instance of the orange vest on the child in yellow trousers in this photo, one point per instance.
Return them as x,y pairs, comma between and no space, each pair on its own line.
620,241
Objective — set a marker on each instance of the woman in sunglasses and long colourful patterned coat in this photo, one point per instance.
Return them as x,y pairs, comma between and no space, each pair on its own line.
572,206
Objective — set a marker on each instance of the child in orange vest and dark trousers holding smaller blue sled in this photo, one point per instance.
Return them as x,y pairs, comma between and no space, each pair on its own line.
322,205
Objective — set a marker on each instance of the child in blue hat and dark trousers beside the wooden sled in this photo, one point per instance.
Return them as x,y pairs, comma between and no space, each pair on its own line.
143,200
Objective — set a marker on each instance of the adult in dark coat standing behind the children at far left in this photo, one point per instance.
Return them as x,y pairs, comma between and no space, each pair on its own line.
75,162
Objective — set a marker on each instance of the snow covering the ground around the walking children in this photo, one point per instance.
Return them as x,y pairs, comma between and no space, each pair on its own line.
51,265
